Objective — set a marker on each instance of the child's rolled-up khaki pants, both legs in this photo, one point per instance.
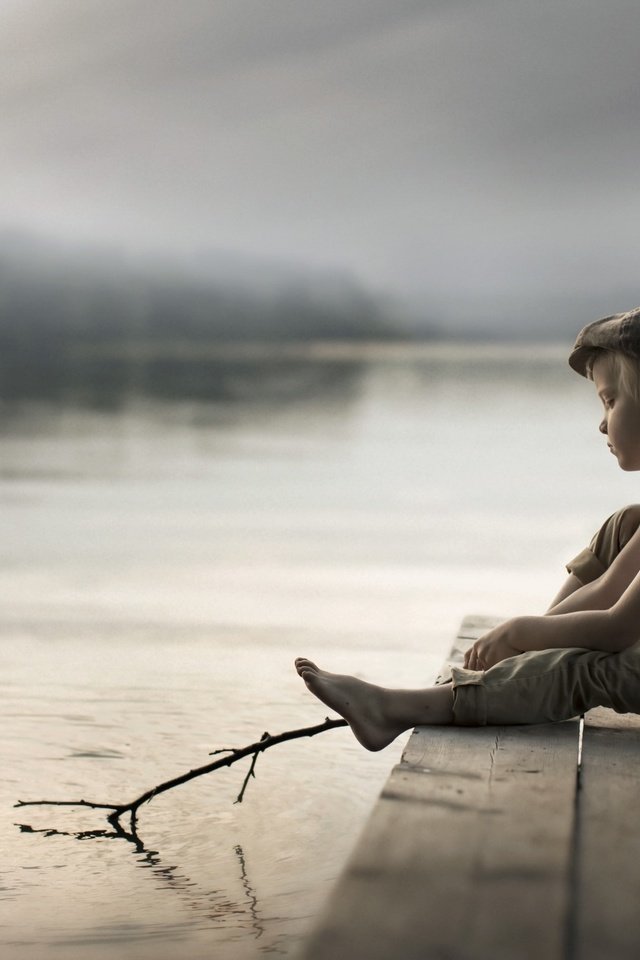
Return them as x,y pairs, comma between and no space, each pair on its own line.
548,685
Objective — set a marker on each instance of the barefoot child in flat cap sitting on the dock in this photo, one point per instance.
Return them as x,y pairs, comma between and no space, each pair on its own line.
582,652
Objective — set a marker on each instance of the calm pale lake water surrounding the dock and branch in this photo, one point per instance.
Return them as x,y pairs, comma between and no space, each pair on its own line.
174,534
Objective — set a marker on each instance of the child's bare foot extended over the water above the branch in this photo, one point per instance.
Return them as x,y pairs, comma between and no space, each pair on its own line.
363,705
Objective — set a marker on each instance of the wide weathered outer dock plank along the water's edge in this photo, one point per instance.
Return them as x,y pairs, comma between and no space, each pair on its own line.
467,853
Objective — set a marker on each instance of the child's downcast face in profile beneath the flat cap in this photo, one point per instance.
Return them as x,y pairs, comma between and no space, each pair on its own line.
621,421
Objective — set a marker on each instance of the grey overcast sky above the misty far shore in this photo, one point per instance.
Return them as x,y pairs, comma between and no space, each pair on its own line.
478,157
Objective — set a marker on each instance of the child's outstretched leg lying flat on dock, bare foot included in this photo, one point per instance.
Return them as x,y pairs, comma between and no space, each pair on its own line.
534,687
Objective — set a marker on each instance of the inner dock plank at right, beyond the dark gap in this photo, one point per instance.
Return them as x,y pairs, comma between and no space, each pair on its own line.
608,856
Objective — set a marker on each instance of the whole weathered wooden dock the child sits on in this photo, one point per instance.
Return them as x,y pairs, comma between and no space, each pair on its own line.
497,843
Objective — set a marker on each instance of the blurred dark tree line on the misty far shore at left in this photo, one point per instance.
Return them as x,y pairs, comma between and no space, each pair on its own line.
55,297
